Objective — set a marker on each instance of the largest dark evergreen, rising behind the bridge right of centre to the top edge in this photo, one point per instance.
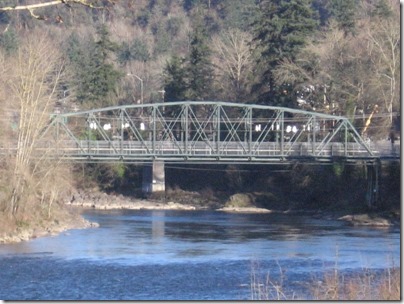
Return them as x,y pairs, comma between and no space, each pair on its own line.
281,30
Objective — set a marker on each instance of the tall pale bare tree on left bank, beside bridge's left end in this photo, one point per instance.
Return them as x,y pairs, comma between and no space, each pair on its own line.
31,87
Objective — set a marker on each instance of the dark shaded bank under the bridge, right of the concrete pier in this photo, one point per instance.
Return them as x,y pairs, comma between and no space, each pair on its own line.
337,188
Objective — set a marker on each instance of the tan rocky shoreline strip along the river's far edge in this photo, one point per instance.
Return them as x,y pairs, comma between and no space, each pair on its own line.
79,201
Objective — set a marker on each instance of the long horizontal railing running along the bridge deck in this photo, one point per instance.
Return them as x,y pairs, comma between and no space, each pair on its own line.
208,151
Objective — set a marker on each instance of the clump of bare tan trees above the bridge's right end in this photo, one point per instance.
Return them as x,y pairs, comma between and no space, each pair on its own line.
353,74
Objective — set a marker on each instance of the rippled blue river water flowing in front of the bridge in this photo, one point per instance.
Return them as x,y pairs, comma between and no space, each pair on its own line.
188,255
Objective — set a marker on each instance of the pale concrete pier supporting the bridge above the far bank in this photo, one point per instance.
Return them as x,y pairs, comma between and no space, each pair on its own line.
153,177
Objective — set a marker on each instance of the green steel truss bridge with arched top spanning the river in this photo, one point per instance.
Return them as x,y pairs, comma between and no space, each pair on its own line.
206,132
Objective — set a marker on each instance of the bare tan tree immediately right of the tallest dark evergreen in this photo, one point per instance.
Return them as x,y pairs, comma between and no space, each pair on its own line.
316,72
